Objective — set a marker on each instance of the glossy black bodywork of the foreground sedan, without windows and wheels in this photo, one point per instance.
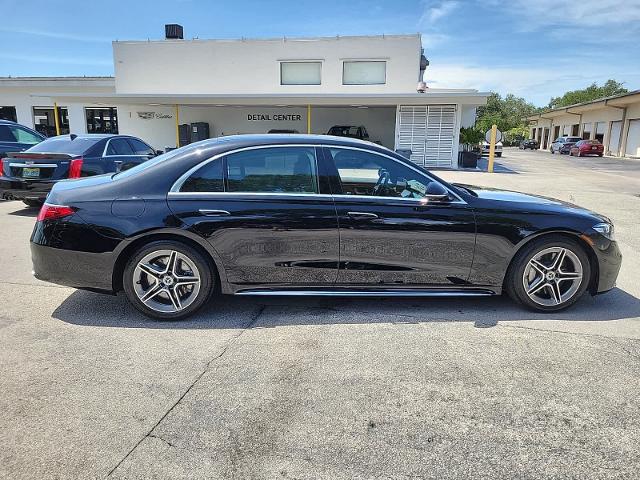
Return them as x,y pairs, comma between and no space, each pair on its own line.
301,241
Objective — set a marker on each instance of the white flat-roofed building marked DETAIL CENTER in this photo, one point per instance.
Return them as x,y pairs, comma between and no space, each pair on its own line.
253,86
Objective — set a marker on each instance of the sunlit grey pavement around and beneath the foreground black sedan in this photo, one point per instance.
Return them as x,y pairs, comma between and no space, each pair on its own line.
303,388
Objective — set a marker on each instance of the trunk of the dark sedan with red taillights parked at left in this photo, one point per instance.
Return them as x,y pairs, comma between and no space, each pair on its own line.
38,166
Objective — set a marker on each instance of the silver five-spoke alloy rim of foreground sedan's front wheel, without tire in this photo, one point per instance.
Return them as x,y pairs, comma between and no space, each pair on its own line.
552,276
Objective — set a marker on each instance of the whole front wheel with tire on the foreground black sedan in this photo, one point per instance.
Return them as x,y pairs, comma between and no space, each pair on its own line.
542,297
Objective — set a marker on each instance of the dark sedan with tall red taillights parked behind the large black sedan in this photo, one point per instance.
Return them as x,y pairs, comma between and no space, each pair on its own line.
29,175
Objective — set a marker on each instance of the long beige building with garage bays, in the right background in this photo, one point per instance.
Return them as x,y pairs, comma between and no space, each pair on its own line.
614,121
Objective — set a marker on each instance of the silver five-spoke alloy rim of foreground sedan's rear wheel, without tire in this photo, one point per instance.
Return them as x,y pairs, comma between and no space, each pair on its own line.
166,281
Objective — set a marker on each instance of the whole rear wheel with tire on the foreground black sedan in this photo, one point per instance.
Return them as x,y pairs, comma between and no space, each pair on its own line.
190,281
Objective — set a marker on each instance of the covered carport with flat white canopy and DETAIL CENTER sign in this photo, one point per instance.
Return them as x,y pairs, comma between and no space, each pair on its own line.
427,124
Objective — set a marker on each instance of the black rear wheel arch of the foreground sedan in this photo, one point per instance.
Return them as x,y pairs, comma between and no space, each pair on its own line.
188,238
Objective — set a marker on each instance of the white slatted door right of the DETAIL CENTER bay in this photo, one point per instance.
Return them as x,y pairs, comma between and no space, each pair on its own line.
428,131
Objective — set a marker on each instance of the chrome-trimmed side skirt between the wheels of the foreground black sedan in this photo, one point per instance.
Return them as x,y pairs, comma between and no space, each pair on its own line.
343,292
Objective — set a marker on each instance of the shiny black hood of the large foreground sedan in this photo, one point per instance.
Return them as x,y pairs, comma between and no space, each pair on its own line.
527,201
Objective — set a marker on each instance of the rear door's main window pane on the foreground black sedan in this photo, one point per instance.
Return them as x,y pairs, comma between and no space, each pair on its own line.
273,170
